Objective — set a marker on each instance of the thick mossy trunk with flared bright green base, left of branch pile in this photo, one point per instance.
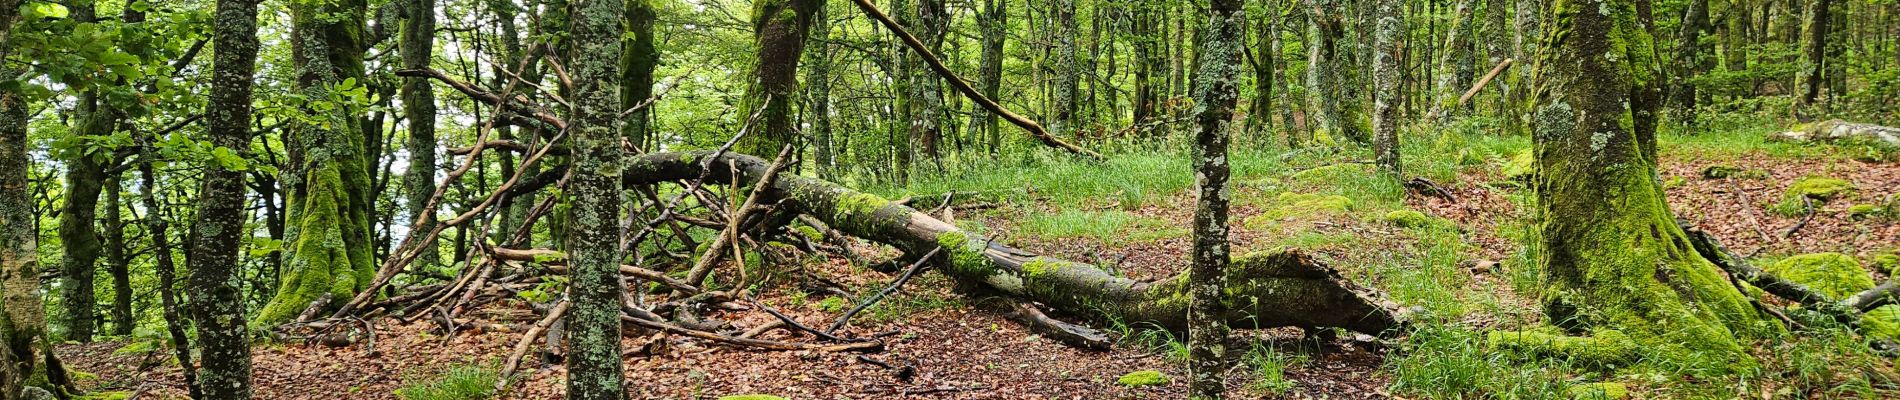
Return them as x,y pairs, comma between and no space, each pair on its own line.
328,249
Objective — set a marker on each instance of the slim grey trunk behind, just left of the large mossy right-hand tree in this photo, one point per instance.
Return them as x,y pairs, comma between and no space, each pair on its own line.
1386,86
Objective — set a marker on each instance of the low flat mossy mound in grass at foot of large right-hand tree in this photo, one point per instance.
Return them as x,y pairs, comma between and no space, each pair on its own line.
1605,348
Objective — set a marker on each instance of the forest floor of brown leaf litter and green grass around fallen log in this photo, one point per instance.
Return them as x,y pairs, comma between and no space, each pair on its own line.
1464,268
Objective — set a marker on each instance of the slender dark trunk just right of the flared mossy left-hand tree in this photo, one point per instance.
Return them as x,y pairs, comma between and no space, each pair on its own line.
419,111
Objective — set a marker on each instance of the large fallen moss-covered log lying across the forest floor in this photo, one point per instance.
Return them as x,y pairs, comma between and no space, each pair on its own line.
1280,289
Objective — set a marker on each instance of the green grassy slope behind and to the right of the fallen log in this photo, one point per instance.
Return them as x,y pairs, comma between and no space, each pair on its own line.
1430,266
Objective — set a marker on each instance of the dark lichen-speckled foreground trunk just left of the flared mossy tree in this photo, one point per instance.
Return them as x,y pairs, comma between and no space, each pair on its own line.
216,234
